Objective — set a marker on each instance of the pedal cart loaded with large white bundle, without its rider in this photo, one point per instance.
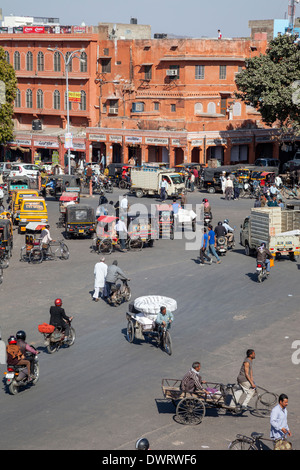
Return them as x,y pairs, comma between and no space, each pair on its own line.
141,321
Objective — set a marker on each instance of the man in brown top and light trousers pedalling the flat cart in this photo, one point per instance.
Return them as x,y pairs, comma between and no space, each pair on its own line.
245,380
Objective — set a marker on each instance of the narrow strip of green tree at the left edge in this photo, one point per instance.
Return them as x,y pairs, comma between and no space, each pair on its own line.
8,87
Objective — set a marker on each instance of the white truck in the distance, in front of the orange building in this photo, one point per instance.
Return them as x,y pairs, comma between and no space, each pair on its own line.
146,181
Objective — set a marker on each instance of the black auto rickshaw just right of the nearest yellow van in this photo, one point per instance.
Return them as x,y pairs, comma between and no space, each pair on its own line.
80,220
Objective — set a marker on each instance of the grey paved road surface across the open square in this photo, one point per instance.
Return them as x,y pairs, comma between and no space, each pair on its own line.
104,393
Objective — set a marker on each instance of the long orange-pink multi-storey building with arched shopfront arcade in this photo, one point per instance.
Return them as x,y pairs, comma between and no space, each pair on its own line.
159,100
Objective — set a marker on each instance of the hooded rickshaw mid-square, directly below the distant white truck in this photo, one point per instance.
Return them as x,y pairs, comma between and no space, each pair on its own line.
142,228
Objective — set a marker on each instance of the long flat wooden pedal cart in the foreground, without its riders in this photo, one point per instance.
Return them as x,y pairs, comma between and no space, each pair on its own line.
191,407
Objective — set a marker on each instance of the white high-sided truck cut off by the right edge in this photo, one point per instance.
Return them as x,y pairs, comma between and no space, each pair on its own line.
279,229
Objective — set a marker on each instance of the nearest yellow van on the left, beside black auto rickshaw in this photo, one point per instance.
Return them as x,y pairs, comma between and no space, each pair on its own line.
32,209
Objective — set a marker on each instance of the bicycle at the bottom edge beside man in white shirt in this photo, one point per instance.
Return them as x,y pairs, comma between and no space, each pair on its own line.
256,442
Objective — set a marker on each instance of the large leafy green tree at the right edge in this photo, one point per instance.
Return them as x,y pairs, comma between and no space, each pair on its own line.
270,83
